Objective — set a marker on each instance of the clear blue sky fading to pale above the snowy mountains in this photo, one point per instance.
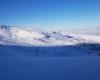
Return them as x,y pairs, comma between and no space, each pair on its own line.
50,14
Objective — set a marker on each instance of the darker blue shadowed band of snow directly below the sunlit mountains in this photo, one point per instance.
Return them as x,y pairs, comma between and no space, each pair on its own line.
47,51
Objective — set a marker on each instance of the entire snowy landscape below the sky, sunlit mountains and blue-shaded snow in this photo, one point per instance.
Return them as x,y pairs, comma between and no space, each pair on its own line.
33,54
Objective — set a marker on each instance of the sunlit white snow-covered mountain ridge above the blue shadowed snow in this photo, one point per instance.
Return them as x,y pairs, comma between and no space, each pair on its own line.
32,36
